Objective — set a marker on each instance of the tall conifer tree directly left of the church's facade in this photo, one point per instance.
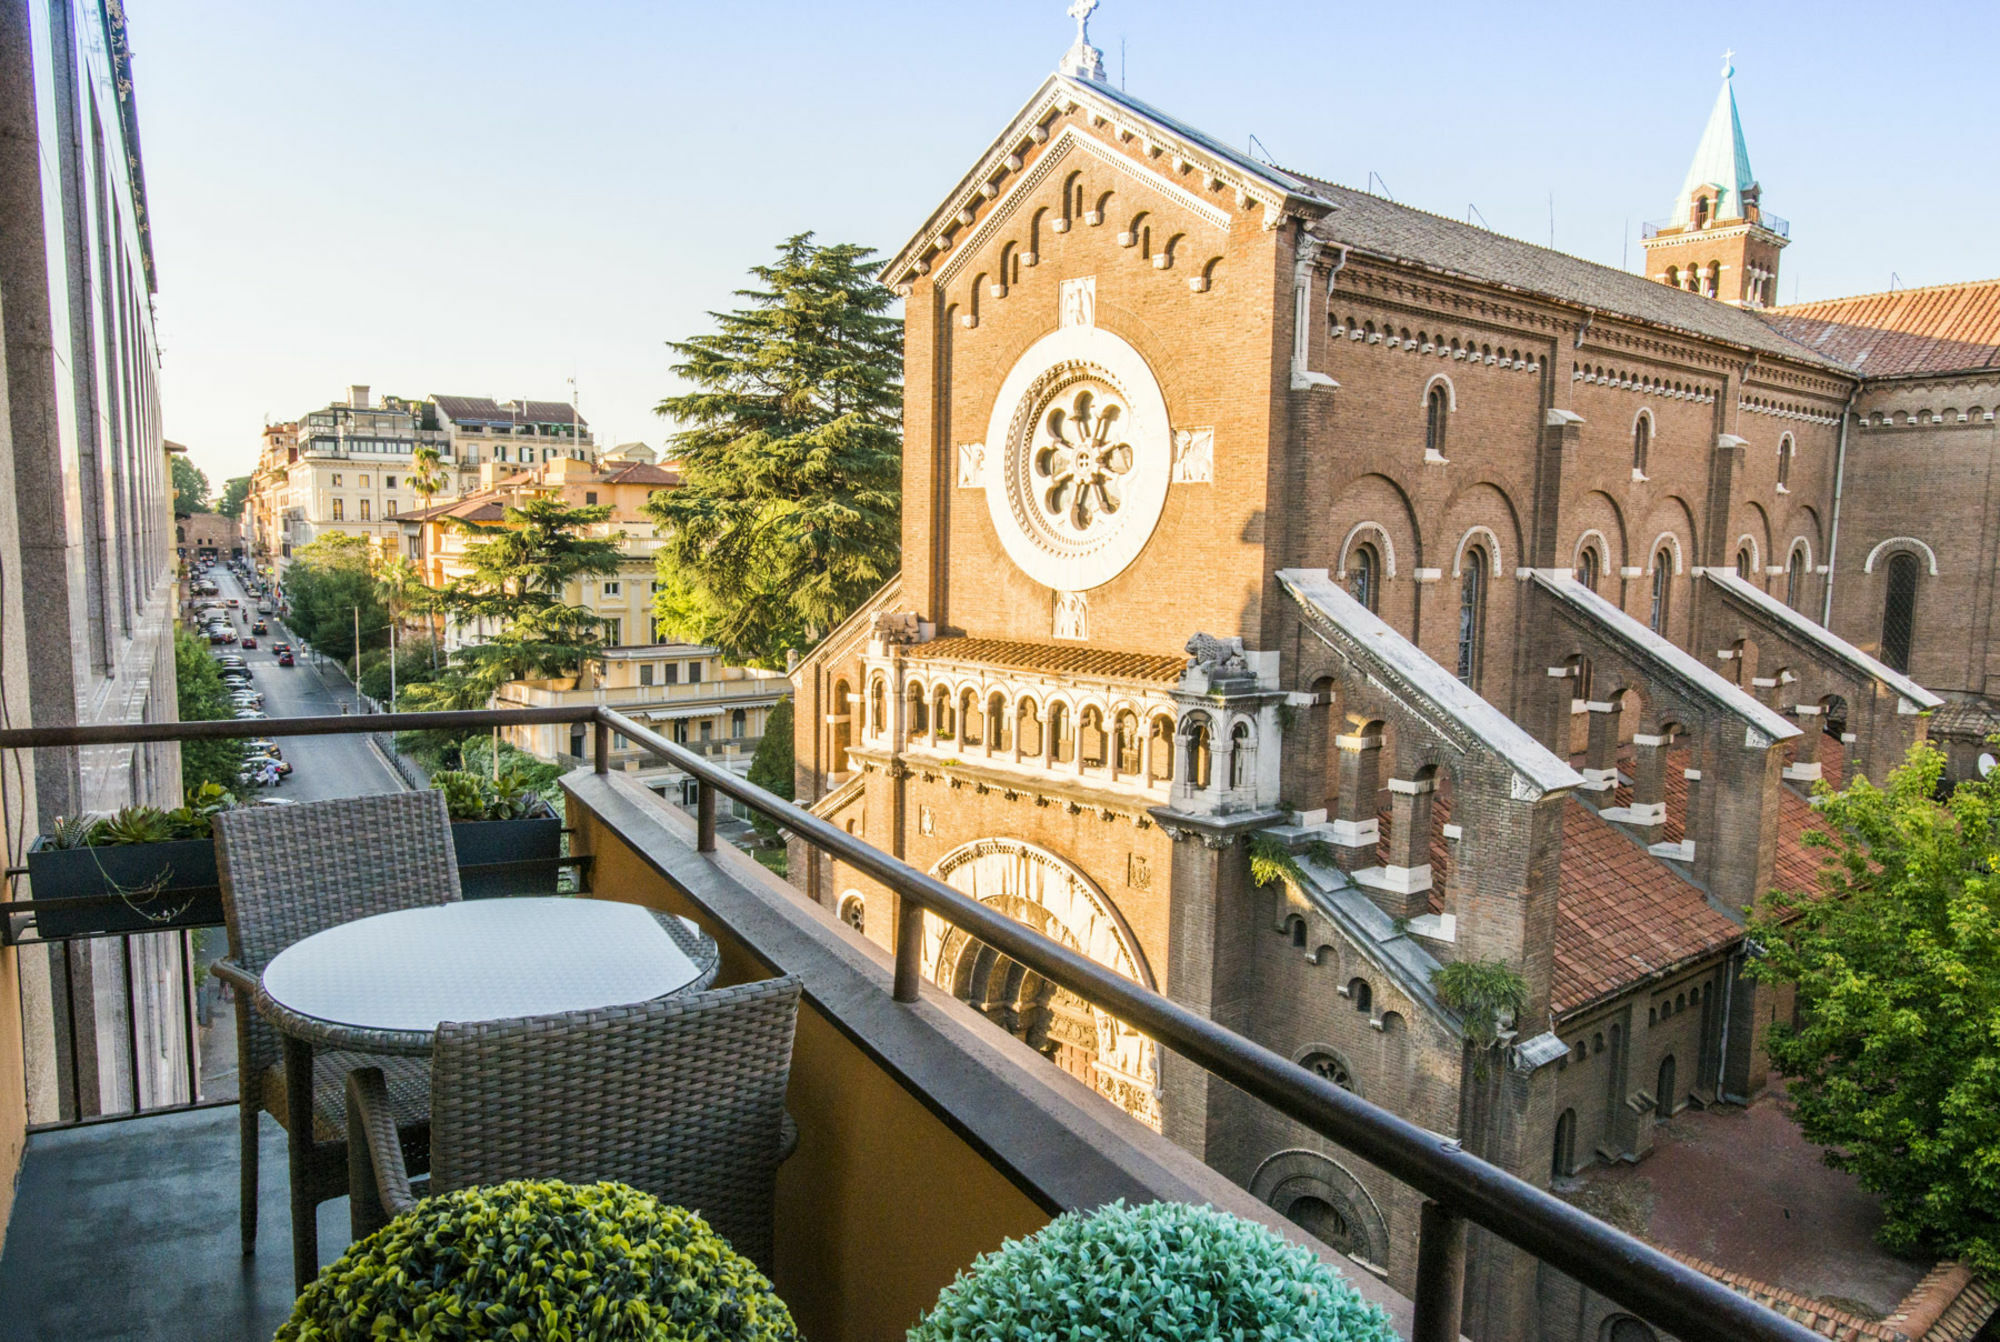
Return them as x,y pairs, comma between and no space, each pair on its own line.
791,459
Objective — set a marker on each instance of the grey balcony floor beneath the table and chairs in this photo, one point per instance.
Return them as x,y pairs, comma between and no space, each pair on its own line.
129,1231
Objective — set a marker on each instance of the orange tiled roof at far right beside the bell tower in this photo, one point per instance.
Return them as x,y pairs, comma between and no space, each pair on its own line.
1913,331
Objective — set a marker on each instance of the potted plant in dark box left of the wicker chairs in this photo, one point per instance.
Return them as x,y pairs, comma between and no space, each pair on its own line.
139,871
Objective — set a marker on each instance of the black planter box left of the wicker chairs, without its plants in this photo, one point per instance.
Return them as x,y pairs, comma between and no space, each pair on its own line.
113,887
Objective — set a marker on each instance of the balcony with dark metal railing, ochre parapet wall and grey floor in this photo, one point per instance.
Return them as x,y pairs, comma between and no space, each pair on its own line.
927,1139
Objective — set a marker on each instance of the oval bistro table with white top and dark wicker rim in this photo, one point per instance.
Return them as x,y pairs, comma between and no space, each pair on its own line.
383,985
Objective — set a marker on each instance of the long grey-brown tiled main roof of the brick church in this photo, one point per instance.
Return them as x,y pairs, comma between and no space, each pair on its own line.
1405,233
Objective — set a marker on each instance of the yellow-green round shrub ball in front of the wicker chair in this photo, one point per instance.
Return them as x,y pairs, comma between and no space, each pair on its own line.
543,1261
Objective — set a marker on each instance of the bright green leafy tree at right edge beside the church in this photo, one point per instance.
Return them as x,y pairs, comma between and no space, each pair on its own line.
1895,1061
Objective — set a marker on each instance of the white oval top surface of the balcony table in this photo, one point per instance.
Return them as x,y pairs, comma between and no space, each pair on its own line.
479,961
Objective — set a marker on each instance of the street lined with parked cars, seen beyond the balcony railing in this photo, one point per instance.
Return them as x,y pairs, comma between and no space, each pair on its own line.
323,767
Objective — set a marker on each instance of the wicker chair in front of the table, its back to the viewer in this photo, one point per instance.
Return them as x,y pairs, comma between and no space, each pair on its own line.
679,1097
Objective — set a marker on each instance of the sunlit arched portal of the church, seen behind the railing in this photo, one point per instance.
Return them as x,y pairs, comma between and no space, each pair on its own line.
1049,895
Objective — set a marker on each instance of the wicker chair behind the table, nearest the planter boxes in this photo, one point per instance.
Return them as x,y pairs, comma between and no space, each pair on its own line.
289,873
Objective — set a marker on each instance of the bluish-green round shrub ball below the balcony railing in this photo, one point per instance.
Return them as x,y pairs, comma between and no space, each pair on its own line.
1157,1273
